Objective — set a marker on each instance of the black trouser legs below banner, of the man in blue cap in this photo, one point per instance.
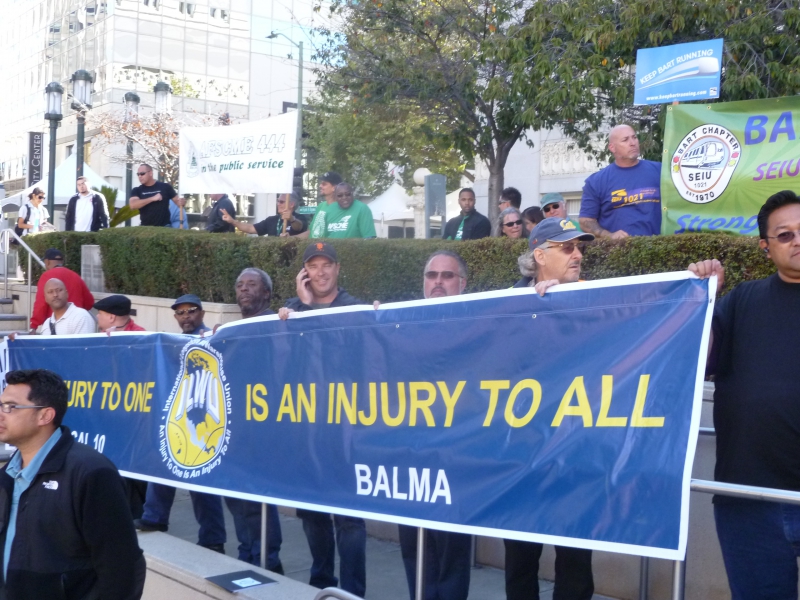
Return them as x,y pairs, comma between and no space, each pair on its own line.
574,579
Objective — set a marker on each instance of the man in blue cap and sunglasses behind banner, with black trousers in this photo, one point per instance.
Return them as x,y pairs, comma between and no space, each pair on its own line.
556,252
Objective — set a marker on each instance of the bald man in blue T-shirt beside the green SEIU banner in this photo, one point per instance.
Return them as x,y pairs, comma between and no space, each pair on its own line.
624,198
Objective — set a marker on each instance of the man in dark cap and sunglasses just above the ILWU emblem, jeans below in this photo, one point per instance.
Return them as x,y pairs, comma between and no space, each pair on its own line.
159,498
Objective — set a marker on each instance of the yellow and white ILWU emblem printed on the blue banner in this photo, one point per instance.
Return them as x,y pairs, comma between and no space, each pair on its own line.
196,433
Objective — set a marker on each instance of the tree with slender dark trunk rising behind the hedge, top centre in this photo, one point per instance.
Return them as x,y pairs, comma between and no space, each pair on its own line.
434,56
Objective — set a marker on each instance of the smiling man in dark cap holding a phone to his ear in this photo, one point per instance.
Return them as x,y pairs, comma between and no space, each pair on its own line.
318,287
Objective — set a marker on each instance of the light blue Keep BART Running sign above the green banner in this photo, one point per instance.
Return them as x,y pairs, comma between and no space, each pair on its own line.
681,72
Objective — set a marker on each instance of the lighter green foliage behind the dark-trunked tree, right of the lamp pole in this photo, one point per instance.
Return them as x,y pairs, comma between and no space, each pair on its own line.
361,141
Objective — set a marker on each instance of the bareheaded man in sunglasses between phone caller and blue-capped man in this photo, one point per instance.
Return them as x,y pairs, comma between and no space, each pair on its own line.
447,554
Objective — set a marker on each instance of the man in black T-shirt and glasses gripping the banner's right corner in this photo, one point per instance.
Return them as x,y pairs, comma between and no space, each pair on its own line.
757,409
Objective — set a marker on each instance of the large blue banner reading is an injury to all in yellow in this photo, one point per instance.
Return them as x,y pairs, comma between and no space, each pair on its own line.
569,418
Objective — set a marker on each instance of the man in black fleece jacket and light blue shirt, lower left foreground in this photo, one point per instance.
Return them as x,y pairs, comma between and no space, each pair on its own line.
66,529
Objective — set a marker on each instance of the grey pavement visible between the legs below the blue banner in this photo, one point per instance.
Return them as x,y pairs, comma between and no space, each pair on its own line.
386,578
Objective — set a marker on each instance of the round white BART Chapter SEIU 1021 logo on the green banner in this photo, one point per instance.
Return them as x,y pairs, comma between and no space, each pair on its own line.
704,162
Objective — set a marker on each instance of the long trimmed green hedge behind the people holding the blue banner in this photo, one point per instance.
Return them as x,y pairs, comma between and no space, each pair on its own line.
167,263
